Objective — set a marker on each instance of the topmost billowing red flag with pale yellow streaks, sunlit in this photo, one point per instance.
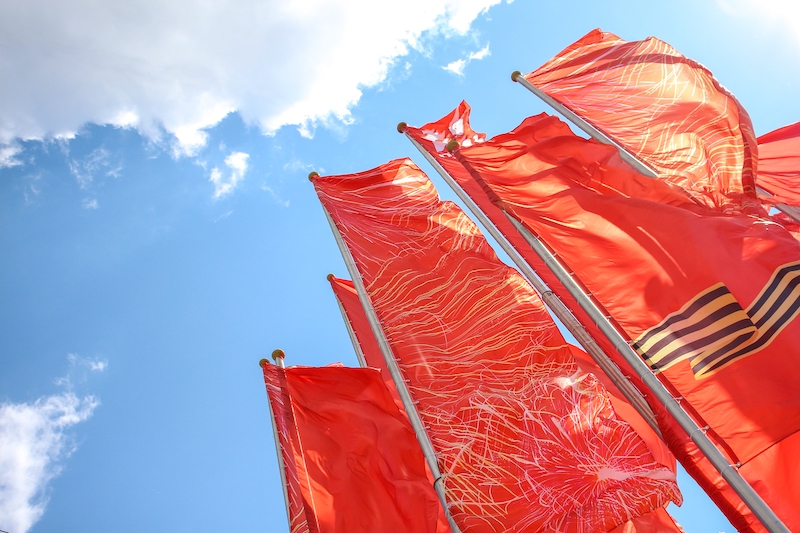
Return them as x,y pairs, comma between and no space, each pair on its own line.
664,108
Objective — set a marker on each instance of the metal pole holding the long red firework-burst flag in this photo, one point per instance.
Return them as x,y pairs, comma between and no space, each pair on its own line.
391,363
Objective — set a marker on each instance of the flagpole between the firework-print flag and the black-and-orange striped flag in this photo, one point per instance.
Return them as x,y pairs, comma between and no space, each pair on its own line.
552,301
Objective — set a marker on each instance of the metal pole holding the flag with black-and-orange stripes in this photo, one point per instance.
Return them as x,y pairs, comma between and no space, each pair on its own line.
698,435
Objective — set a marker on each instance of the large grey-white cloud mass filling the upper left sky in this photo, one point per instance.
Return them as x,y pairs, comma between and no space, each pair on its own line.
181,66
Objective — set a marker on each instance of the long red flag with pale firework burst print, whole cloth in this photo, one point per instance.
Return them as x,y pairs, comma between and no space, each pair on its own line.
525,441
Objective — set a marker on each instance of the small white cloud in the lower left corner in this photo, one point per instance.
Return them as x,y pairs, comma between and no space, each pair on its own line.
33,439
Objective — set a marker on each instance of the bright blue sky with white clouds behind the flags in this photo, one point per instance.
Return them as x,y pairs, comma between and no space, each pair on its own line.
159,235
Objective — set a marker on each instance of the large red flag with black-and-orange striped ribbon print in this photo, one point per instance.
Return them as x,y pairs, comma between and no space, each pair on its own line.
709,300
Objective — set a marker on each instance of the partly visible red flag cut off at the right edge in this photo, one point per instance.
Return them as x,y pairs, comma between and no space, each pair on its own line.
779,164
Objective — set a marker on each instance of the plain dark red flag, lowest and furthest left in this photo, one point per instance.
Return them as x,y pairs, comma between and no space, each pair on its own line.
351,459
